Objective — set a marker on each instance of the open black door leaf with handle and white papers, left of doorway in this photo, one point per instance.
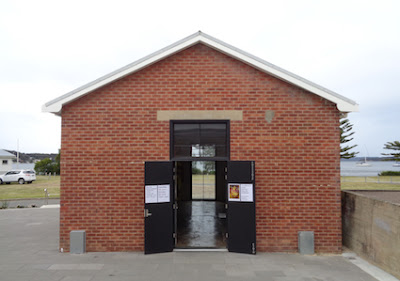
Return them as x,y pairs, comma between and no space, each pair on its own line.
158,212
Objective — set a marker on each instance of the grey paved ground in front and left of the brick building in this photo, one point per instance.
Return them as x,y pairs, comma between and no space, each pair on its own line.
29,251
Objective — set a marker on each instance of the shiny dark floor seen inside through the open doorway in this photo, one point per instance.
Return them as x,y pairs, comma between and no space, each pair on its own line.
201,224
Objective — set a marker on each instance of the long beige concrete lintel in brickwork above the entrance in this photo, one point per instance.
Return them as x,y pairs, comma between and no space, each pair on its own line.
166,115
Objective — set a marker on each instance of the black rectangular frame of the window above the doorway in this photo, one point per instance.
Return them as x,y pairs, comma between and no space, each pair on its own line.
215,158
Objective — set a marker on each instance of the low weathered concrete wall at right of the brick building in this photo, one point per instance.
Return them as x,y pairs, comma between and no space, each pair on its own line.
371,228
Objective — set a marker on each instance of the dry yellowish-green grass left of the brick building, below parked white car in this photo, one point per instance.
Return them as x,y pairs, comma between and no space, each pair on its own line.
33,190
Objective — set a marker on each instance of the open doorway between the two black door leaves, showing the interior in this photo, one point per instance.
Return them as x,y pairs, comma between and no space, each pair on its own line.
201,198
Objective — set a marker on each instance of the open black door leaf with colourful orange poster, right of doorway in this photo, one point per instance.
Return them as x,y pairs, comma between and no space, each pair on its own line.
241,213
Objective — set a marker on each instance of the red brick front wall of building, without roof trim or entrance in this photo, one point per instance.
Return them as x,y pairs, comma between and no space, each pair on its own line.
109,134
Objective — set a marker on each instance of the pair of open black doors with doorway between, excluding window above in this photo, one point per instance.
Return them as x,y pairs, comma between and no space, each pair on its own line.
161,200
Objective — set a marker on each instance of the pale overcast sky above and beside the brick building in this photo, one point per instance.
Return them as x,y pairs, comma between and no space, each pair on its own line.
48,48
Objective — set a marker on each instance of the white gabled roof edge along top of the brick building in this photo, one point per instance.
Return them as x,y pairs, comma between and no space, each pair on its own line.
343,104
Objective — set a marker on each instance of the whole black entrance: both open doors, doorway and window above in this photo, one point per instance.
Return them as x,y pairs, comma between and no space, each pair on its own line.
199,170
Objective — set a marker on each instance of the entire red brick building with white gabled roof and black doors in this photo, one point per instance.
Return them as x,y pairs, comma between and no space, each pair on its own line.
200,145
